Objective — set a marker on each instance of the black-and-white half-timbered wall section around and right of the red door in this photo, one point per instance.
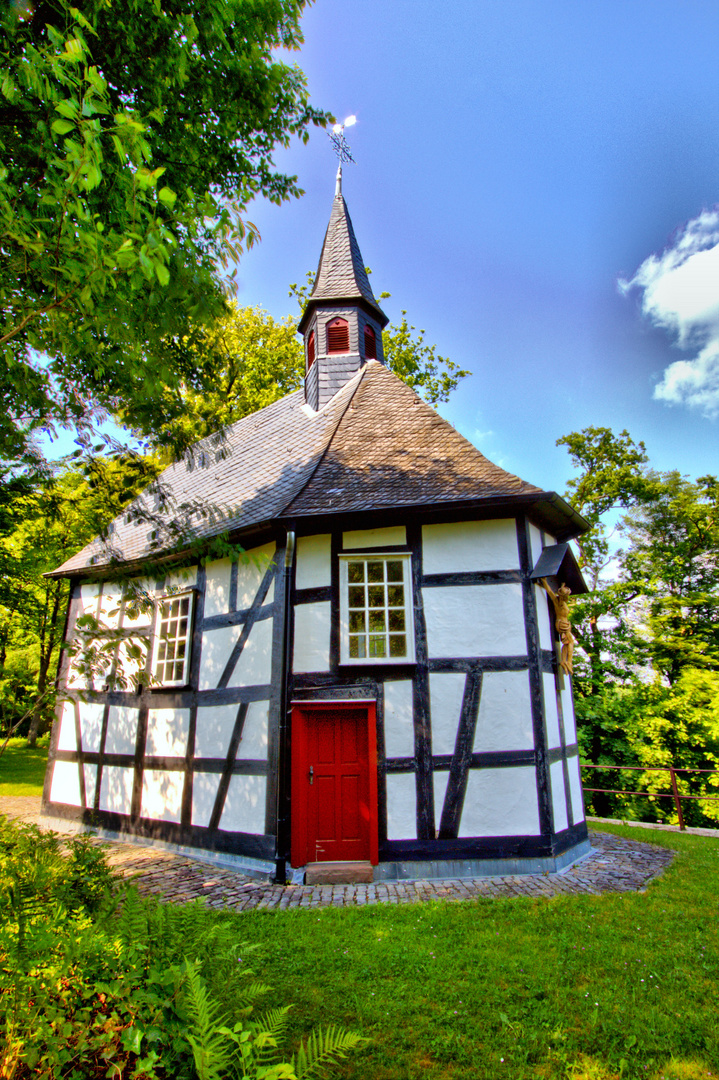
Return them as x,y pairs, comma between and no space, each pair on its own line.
477,737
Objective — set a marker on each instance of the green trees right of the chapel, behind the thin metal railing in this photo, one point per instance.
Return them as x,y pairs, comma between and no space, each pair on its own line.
648,668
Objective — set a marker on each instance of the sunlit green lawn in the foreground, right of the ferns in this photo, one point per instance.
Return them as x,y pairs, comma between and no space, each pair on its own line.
585,988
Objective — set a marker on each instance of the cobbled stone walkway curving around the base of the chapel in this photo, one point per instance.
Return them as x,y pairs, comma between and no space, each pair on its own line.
615,866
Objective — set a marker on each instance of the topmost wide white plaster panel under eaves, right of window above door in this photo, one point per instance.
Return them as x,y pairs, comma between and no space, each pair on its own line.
470,546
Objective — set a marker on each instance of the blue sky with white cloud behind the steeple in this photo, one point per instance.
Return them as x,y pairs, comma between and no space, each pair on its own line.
537,185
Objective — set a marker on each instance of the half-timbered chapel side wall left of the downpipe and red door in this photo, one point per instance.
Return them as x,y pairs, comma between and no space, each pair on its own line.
195,763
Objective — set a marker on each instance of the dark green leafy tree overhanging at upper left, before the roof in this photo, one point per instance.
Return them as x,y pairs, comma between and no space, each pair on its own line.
133,138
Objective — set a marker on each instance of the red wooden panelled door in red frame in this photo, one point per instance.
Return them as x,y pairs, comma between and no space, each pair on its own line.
334,784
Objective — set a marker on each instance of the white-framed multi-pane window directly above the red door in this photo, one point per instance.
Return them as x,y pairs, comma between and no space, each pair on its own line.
376,610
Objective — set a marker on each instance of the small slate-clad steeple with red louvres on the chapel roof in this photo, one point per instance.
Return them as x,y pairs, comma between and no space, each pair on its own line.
343,323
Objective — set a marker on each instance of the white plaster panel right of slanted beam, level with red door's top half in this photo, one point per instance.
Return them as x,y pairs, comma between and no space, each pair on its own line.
506,717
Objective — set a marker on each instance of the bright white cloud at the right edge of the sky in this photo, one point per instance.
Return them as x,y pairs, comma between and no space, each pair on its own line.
681,294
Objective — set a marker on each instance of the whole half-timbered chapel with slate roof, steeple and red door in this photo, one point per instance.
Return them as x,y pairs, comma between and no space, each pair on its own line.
372,679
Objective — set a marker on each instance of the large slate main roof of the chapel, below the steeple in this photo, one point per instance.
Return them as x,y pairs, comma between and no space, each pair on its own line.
375,445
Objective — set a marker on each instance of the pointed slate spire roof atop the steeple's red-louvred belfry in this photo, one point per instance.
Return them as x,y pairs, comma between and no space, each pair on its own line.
342,274
